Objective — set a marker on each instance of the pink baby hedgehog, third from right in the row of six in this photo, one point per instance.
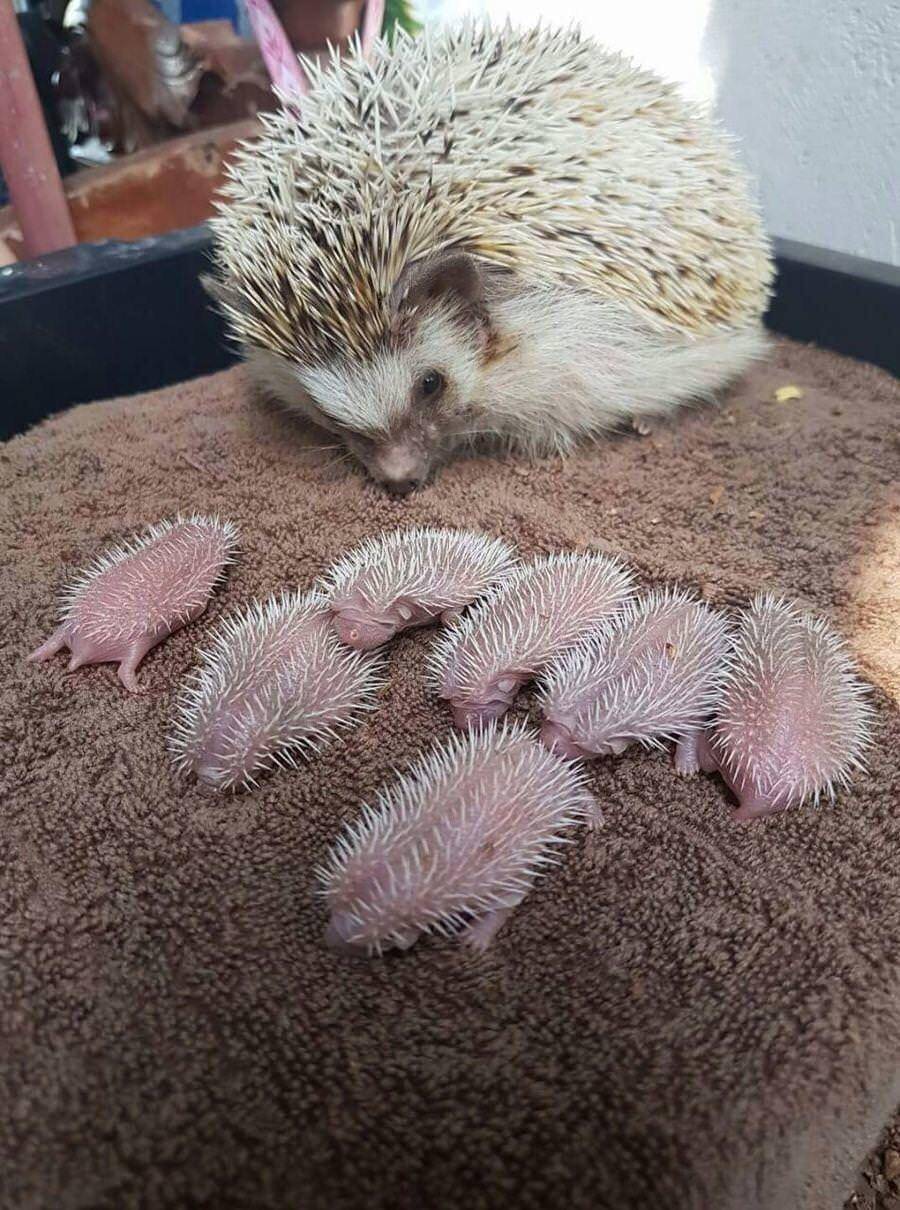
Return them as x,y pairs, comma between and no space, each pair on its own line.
512,633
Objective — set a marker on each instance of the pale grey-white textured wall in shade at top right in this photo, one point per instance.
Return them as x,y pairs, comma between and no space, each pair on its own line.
815,93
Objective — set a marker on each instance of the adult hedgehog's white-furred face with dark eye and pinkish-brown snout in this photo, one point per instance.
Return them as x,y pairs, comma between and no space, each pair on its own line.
402,413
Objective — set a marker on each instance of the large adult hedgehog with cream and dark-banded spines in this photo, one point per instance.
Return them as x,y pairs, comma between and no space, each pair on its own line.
499,233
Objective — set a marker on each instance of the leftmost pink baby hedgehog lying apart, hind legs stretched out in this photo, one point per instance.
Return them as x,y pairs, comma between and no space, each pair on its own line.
139,594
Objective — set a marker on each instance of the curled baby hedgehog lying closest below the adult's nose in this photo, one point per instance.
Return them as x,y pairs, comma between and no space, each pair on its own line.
409,578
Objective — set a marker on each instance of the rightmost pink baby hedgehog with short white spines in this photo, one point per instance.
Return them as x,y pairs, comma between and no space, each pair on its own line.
793,722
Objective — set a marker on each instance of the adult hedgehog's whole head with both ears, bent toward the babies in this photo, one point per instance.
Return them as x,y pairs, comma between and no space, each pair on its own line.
407,395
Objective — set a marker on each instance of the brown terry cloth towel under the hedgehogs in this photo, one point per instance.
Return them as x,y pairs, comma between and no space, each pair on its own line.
688,1013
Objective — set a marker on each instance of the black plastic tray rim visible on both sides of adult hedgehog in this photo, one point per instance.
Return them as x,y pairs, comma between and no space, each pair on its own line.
114,319
